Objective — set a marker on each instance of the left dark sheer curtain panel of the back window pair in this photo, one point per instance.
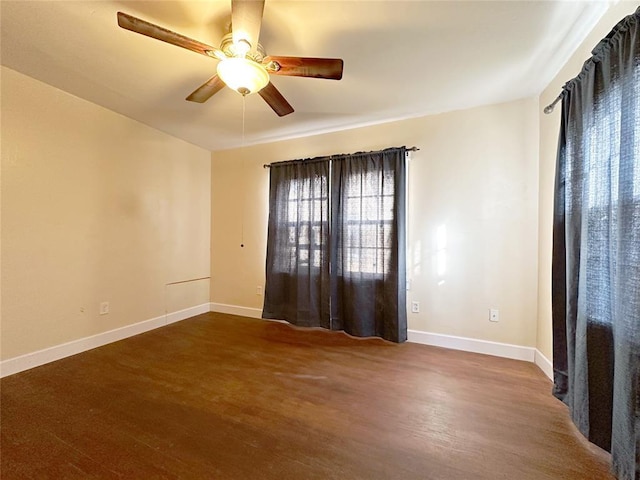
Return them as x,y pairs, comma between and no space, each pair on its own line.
297,269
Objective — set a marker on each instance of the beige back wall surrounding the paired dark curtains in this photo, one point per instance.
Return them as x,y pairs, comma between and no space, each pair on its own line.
476,174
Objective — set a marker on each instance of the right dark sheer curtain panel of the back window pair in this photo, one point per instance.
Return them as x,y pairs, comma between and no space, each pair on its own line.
368,281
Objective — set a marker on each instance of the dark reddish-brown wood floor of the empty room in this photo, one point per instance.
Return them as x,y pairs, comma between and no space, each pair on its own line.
225,397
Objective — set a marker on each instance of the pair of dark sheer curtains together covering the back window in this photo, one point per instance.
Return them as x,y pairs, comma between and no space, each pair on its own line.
336,244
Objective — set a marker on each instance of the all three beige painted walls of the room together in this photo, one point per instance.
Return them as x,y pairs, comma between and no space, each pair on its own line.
97,207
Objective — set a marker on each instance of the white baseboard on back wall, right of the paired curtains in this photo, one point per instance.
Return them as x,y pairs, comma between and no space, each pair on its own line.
506,350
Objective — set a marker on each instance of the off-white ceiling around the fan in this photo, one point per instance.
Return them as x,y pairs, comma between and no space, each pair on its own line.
401,59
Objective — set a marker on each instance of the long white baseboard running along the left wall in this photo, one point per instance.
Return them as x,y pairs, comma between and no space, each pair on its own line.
51,354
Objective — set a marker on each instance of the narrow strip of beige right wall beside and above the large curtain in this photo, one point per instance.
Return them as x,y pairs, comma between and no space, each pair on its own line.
549,129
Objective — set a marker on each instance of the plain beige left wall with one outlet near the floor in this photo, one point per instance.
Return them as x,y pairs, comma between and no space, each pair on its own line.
95,207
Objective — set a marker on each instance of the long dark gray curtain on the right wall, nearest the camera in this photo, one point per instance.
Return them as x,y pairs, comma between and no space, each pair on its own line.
596,249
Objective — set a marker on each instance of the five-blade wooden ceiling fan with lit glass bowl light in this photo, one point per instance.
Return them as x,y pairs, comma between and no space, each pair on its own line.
243,64
